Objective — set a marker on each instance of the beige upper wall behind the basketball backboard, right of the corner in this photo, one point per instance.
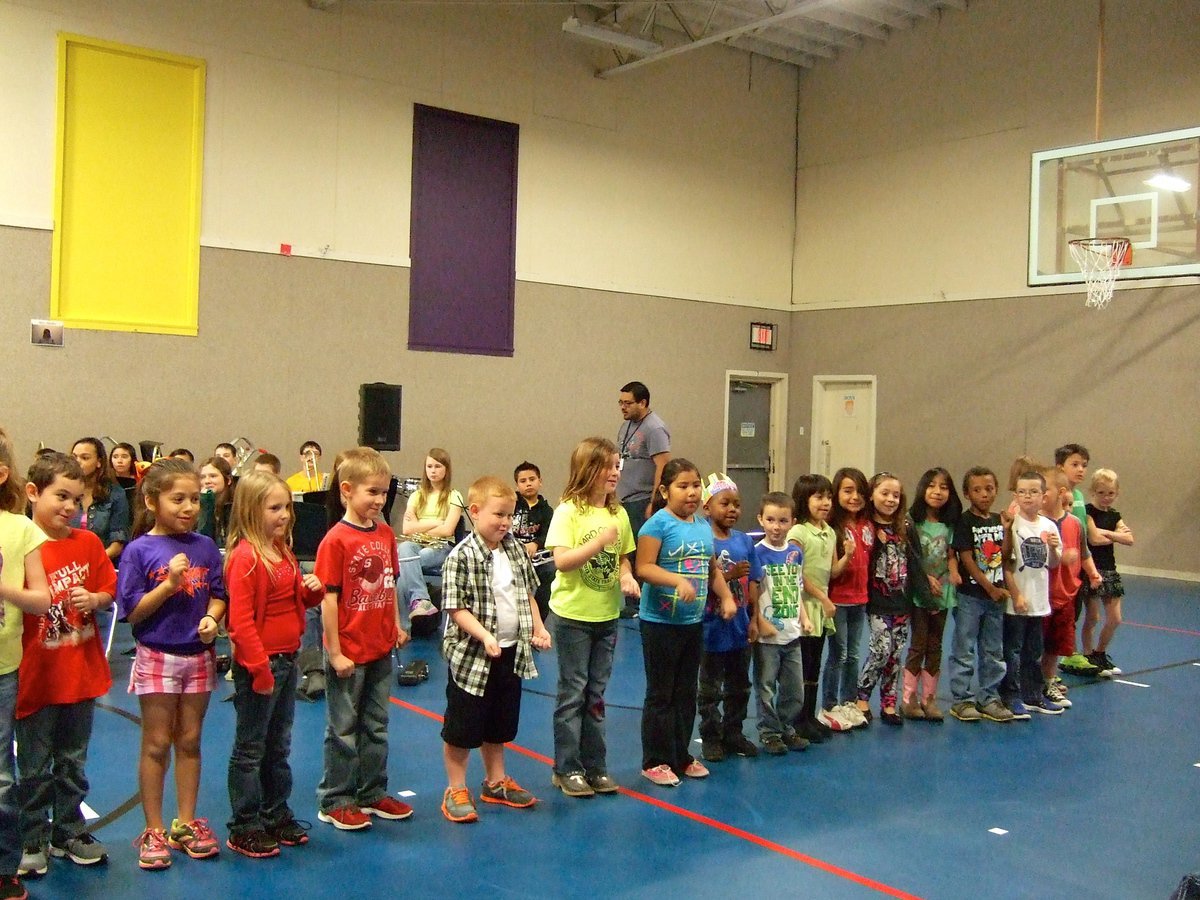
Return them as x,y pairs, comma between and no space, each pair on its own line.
915,155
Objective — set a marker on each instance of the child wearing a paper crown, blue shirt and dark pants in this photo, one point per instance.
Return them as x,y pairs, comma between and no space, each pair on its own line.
725,665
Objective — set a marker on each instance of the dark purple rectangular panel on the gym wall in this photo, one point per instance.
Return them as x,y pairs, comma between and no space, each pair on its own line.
463,233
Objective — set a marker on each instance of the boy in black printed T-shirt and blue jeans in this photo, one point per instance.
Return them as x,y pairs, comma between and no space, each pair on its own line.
980,617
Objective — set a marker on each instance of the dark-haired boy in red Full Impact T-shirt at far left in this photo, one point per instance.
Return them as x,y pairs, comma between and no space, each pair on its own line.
63,671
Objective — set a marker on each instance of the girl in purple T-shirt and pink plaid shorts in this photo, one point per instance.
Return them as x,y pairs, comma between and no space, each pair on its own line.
172,592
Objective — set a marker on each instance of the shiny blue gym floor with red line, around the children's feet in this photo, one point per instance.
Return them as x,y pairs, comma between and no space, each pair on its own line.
1097,803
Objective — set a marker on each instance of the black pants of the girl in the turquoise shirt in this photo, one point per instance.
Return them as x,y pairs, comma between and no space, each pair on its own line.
671,656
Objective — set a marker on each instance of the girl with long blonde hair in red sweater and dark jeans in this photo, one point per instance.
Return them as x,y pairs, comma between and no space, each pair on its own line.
268,598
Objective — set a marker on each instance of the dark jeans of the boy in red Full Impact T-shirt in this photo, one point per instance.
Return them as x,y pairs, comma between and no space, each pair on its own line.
52,753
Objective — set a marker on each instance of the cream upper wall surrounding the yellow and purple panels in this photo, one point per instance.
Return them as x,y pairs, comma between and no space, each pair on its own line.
675,182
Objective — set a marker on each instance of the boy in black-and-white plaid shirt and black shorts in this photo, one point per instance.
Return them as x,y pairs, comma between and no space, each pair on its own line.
489,587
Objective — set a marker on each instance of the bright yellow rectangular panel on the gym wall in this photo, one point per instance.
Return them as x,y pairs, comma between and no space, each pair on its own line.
128,193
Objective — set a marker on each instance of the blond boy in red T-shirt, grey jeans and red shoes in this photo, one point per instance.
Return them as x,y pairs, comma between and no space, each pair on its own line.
357,563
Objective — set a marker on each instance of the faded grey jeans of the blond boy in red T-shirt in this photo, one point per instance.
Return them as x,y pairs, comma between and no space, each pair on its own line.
356,736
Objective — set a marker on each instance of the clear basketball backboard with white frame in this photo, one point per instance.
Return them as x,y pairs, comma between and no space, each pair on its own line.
1144,189
